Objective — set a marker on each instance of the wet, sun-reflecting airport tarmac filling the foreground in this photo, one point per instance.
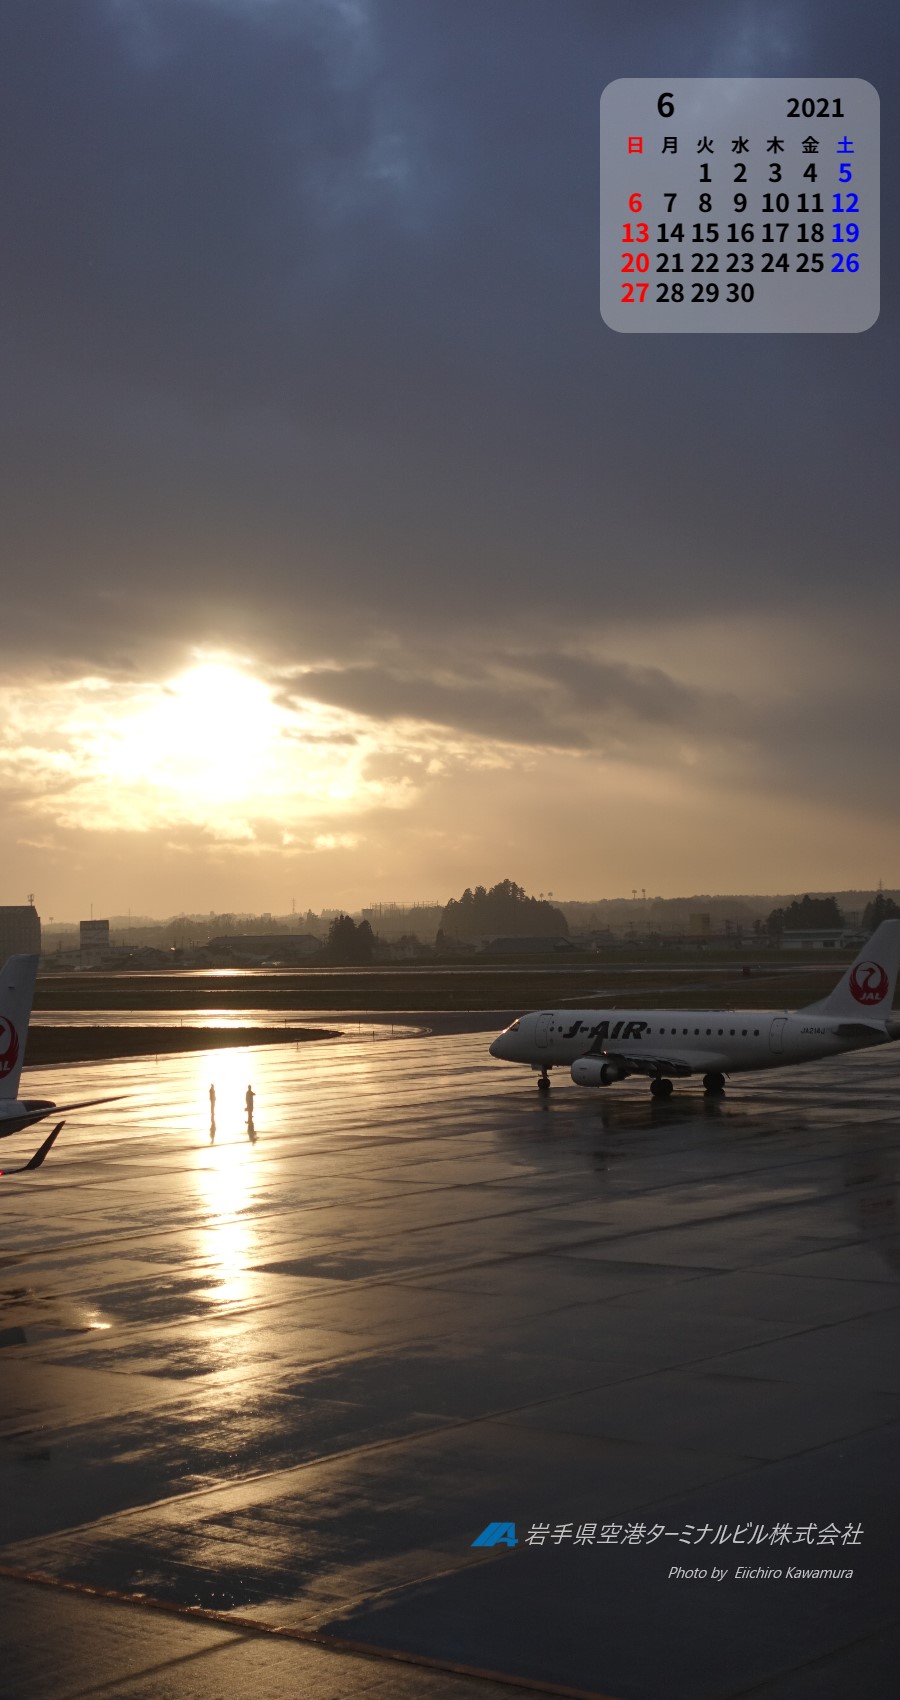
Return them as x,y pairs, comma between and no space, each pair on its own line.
259,1393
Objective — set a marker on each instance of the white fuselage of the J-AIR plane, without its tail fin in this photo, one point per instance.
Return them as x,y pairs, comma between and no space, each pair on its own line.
700,1041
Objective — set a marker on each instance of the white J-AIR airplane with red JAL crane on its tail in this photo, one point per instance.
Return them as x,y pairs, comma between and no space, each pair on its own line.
607,1046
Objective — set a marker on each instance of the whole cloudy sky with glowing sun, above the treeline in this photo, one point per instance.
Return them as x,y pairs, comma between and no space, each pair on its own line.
350,555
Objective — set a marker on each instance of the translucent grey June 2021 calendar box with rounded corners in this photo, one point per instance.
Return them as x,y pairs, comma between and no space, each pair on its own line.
739,205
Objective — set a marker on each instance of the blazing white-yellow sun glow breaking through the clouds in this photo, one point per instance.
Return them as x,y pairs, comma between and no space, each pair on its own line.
224,745
